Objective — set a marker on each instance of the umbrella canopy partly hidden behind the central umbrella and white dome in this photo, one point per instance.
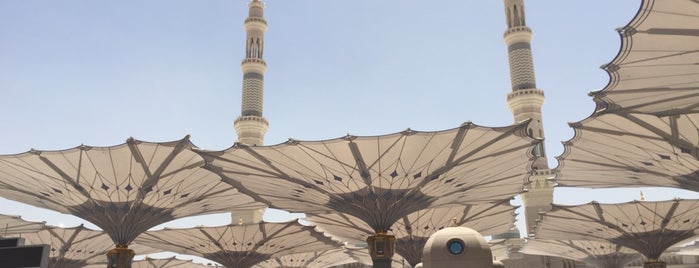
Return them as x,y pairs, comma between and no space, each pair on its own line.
413,230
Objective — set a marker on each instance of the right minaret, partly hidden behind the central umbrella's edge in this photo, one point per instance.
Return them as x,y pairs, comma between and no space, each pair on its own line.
525,102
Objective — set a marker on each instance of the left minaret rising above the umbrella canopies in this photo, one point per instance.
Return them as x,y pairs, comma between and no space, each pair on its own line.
251,125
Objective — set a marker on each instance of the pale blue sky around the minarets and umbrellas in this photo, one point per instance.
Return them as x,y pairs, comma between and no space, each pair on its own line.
98,72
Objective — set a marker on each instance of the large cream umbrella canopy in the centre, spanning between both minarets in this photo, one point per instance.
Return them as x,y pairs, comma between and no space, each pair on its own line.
379,179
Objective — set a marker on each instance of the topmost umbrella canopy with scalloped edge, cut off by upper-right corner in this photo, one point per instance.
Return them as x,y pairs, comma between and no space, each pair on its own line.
656,69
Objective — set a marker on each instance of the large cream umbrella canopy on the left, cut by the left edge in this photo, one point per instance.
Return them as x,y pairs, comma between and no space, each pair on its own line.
124,189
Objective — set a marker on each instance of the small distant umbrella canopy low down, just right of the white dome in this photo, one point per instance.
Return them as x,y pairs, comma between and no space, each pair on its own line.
595,253
